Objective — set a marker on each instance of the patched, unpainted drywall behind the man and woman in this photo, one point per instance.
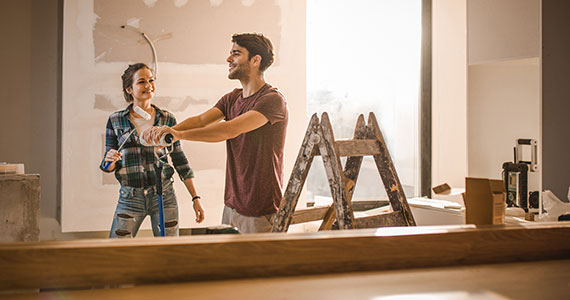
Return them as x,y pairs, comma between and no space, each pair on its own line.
192,40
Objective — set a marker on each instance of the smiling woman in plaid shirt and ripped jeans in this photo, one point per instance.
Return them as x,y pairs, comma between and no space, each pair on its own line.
133,163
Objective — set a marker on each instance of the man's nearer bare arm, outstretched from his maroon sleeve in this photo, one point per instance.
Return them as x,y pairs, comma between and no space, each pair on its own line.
221,131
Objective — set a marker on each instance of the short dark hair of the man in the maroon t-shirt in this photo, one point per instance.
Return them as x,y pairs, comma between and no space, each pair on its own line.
256,44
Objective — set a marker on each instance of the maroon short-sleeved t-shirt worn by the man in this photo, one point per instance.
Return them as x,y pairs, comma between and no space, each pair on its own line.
254,169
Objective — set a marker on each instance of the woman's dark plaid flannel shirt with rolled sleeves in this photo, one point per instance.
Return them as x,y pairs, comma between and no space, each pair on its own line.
136,168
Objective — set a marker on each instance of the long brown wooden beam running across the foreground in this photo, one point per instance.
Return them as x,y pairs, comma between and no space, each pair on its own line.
88,263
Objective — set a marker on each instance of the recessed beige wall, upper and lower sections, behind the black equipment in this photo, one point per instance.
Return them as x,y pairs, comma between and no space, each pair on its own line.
503,83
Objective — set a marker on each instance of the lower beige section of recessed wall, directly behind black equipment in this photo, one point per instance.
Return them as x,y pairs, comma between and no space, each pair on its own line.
503,106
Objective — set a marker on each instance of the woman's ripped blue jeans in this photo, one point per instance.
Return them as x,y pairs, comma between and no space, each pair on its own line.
136,203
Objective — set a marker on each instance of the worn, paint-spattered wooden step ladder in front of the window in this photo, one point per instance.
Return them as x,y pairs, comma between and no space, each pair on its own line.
319,140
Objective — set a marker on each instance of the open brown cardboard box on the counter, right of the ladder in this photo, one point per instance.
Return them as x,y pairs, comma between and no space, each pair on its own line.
485,201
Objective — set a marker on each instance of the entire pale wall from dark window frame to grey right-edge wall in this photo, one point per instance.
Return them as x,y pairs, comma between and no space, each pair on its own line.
473,91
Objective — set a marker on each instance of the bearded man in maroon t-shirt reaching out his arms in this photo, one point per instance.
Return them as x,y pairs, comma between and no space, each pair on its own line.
256,118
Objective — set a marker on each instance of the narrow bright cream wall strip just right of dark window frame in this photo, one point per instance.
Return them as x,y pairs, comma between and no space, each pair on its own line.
449,94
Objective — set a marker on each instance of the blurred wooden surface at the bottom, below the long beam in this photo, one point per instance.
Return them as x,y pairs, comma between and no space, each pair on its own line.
530,280
